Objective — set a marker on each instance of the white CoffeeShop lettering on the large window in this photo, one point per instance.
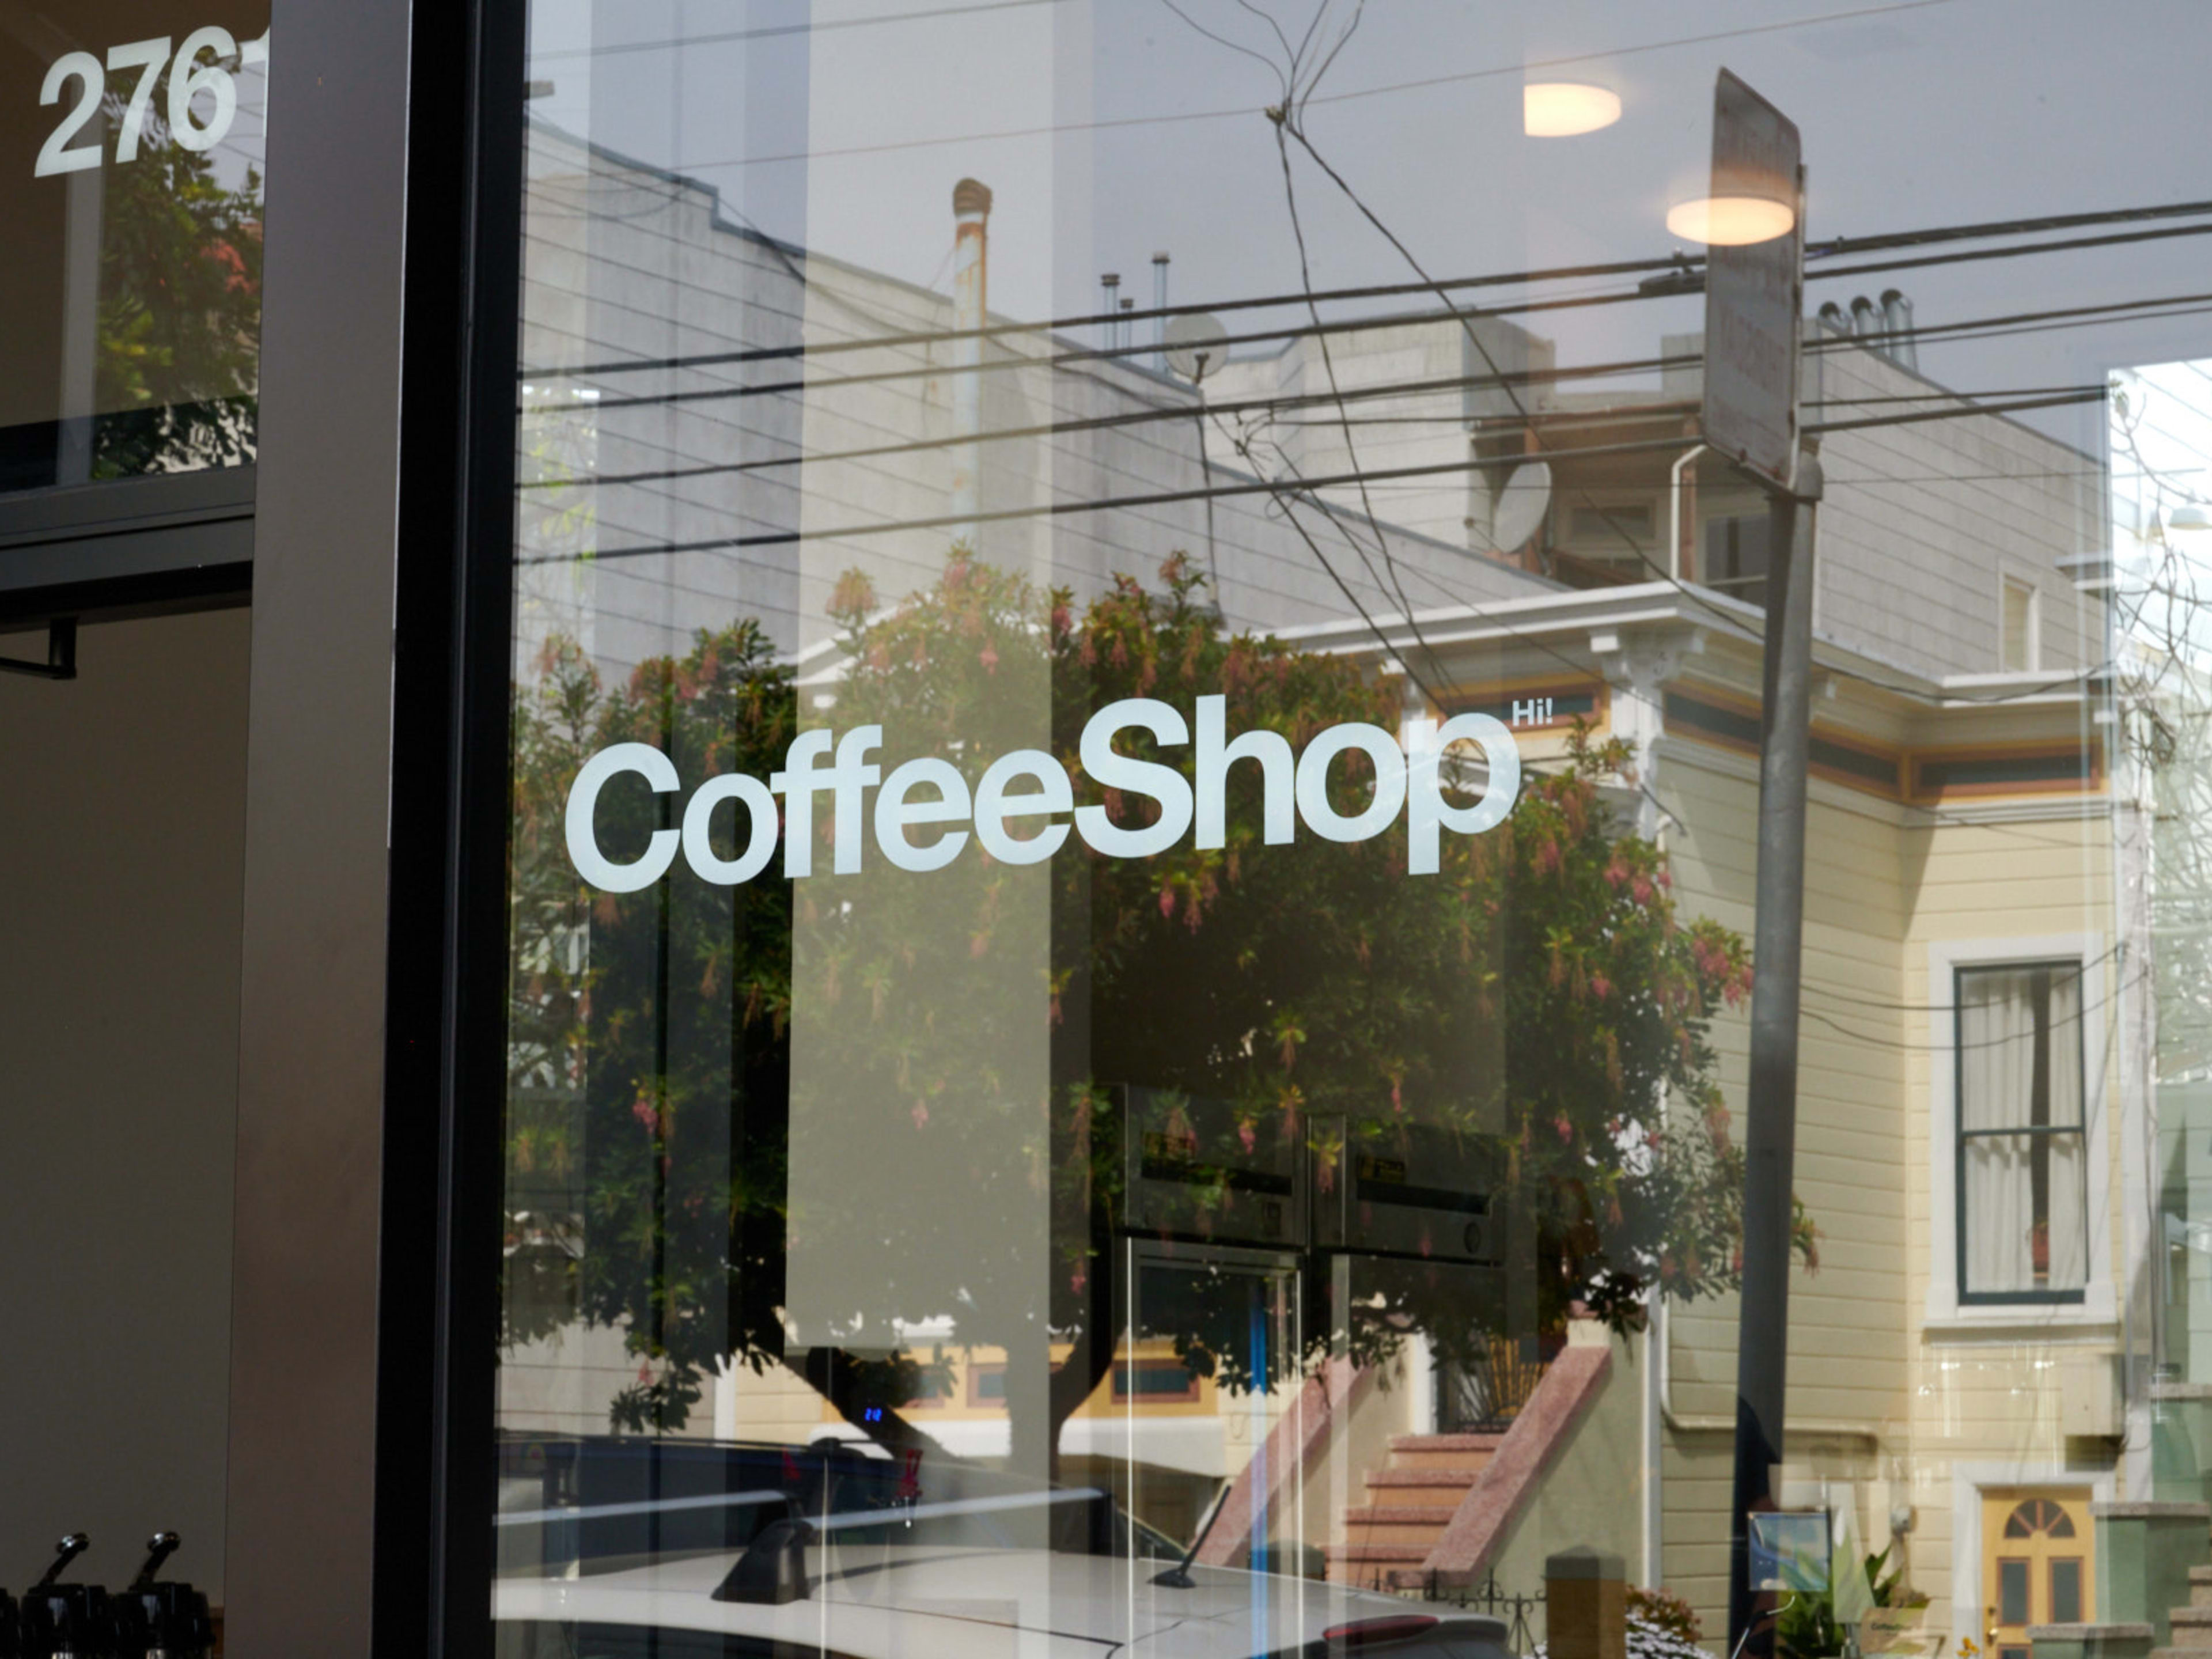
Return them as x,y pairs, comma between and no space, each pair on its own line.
1032,784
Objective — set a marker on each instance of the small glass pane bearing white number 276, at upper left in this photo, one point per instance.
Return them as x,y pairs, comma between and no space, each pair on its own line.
134,205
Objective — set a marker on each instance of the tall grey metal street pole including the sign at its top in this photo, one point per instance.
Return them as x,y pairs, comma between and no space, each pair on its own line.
1755,309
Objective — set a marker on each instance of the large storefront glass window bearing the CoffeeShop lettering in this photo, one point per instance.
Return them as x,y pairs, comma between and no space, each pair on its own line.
1145,654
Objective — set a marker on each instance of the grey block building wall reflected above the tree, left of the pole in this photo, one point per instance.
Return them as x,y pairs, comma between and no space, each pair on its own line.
654,273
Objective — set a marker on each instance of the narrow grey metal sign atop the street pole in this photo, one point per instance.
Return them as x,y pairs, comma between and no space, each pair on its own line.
1755,293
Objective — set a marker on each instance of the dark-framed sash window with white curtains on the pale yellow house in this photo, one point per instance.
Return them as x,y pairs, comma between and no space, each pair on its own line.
2023,1189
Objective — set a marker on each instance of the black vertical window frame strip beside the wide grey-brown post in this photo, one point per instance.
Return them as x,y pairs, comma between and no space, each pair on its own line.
448,937
